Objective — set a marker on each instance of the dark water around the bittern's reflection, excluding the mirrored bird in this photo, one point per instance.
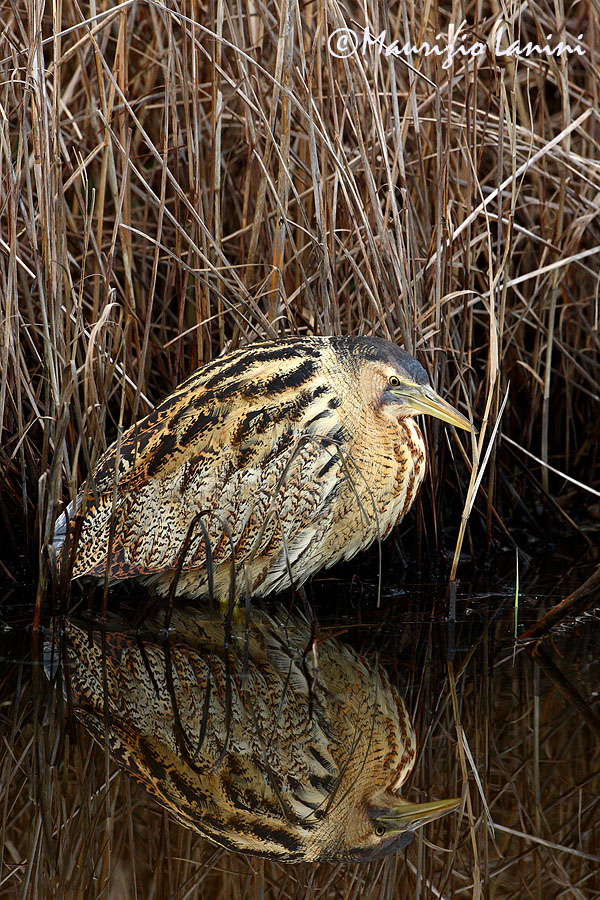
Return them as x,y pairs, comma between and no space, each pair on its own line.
513,728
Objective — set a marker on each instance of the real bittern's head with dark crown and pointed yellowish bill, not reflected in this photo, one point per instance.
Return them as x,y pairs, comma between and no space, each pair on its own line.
397,384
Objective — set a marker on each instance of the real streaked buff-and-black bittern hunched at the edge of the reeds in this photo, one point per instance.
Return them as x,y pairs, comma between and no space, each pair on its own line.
278,459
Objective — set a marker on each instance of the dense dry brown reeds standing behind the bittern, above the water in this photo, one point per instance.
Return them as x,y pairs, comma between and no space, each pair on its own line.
176,180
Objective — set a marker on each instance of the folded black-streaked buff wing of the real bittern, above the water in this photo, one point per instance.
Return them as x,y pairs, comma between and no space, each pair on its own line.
248,444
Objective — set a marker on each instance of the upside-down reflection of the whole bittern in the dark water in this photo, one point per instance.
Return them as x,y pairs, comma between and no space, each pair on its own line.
258,740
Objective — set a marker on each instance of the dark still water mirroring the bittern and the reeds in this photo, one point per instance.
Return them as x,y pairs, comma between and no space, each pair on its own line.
510,728
